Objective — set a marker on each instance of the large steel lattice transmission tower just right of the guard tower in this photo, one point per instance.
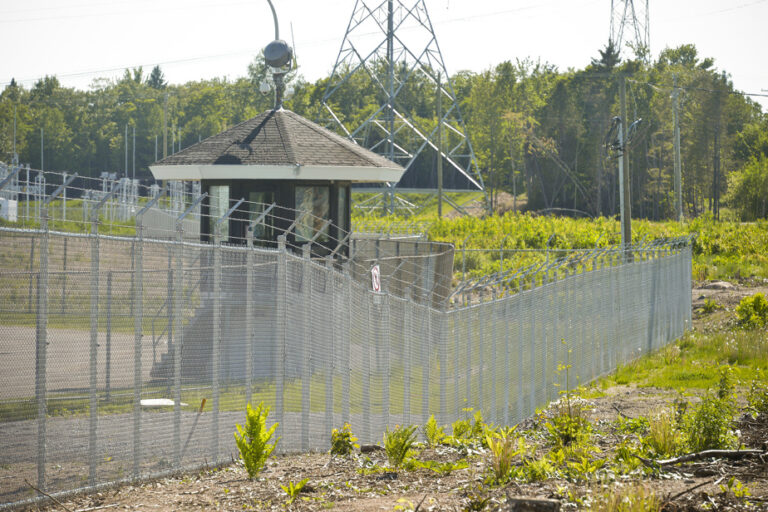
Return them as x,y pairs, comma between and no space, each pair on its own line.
391,44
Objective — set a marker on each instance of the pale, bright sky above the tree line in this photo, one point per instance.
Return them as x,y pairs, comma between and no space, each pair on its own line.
80,40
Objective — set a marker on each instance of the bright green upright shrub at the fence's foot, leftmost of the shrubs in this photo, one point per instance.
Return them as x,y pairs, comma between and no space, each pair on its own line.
253,440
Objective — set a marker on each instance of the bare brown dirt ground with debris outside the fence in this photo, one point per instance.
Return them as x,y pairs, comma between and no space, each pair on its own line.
340,484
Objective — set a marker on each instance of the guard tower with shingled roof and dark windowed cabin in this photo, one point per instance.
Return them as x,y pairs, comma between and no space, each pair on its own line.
282,158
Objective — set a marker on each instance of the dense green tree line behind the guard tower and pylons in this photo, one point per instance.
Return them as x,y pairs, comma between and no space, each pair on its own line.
534,129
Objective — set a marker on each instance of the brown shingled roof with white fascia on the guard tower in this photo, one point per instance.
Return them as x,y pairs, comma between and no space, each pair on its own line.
277,144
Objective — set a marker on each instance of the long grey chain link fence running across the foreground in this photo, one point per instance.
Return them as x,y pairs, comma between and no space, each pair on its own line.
125,357
